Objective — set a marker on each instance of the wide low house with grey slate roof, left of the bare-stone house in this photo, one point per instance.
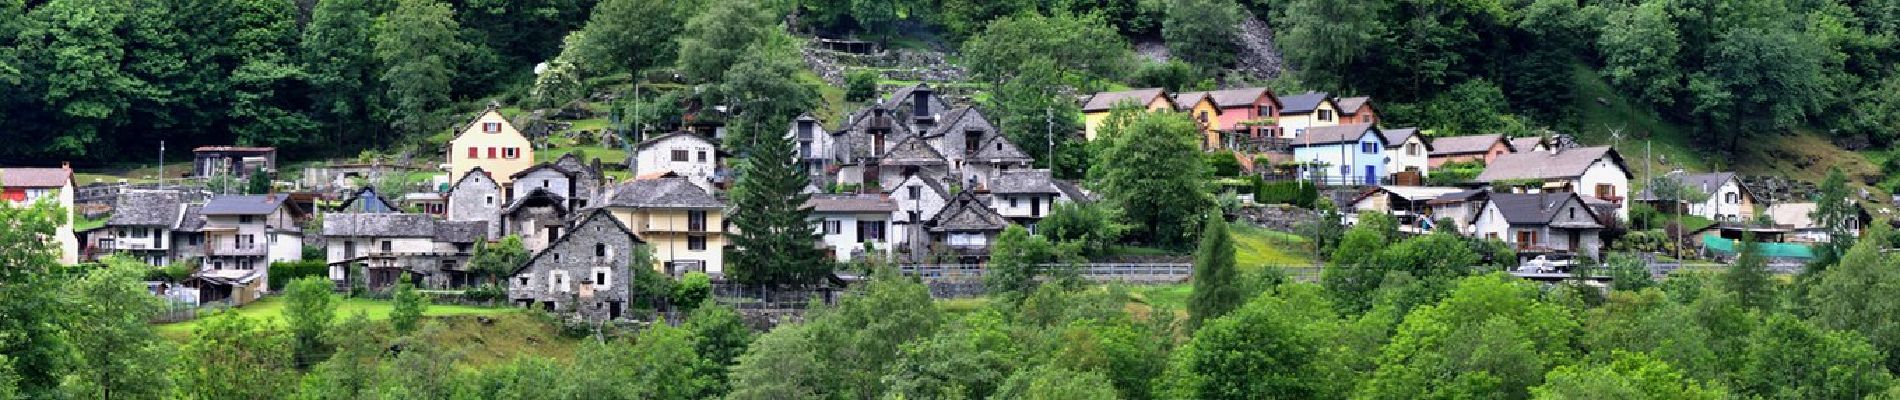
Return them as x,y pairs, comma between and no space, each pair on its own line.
381,251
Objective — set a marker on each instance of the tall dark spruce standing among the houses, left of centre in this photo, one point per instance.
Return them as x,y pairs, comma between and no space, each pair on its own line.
776,240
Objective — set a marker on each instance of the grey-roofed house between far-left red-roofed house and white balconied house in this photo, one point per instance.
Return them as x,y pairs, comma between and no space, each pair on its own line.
142,227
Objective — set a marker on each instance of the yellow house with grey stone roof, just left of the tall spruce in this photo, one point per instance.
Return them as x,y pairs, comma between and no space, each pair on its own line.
679,221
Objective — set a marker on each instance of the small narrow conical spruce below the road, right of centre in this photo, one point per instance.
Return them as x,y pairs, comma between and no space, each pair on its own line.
1217,285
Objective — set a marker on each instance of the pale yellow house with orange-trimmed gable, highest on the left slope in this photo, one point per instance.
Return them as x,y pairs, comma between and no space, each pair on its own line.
493,145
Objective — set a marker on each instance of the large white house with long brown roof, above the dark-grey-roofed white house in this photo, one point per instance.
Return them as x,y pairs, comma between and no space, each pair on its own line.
1589,172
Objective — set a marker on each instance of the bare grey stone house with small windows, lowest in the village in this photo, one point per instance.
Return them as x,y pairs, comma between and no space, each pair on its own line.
584,274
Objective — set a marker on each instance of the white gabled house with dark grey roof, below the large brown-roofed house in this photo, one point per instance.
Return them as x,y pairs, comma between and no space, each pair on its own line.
1542,223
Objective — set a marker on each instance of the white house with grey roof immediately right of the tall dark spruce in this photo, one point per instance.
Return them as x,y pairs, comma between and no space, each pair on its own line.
854,227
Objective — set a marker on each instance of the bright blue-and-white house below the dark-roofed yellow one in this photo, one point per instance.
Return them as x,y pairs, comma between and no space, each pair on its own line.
1342,155
